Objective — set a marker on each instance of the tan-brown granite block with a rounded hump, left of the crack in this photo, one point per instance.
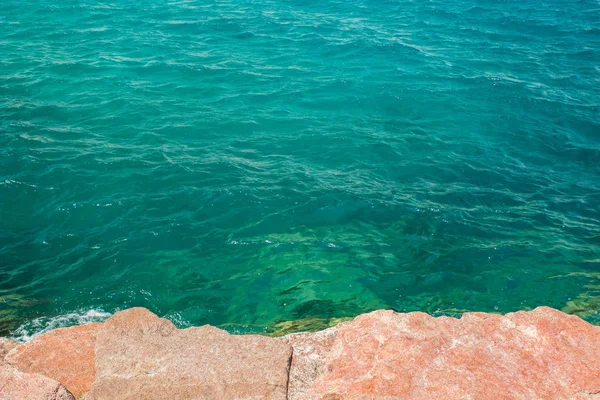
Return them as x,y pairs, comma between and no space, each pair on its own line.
140,356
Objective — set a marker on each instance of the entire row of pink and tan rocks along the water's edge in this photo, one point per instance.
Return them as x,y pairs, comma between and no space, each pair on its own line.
540,354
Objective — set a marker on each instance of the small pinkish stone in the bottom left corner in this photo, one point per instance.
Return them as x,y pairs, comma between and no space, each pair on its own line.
17,385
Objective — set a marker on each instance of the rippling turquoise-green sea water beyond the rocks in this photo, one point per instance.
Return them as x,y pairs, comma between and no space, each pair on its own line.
244,163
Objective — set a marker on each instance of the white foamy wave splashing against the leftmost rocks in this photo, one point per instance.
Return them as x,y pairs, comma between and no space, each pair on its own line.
41,325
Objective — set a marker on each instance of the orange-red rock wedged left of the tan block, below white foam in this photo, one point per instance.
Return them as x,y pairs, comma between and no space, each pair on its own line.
65,355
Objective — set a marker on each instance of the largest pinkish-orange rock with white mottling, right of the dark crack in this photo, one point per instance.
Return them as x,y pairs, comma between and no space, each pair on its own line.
542,354
